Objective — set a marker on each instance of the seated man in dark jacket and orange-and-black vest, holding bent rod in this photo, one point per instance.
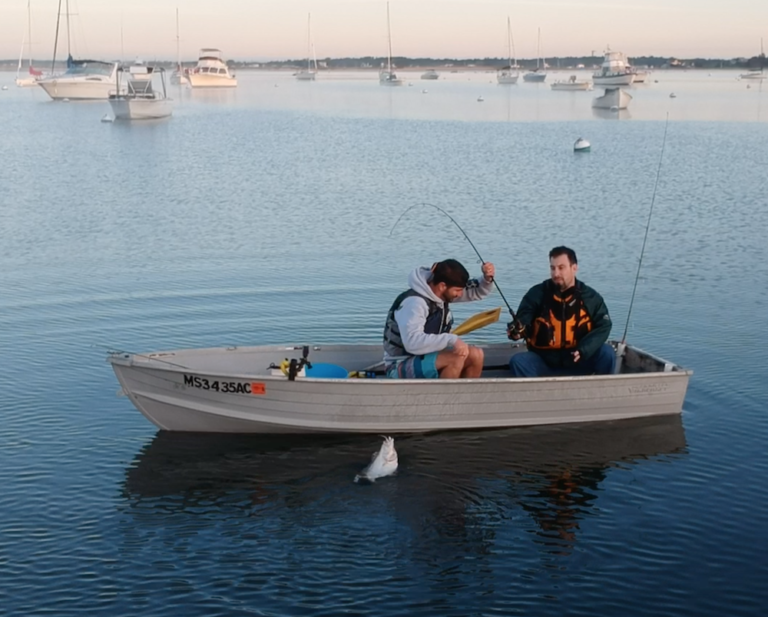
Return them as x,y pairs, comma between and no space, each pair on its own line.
565,324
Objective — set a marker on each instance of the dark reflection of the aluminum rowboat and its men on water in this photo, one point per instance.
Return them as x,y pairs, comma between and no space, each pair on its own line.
464,484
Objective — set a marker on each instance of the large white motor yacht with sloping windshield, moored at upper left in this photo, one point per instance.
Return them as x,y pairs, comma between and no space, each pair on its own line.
83,80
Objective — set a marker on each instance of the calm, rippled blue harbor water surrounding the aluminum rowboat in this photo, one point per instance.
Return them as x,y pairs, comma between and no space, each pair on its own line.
263,215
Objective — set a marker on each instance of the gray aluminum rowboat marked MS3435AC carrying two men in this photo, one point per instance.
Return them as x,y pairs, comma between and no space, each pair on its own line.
244,390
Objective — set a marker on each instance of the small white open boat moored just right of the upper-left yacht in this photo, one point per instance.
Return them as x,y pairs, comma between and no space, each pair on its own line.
141,101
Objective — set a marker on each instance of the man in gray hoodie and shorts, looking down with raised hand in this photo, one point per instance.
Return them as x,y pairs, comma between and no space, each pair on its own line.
417,339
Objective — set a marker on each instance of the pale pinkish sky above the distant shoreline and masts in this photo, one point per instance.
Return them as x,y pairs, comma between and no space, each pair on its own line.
261,30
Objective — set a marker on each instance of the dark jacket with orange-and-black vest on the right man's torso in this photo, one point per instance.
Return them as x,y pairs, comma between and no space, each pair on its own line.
558,323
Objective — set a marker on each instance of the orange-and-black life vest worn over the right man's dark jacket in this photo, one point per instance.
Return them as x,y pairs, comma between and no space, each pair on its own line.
562,321
